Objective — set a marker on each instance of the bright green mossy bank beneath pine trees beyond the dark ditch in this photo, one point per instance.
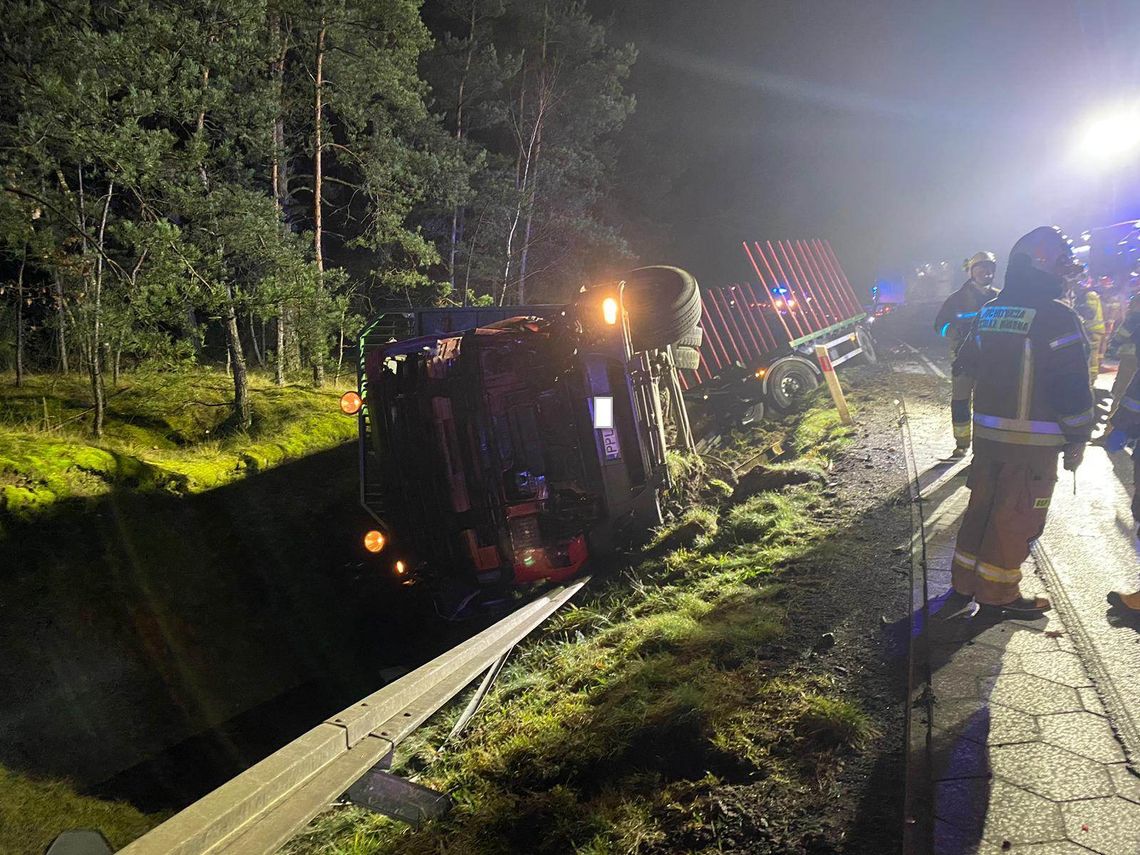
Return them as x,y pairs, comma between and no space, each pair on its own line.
165,431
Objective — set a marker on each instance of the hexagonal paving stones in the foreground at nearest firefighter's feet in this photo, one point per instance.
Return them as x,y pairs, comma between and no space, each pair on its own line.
1020,755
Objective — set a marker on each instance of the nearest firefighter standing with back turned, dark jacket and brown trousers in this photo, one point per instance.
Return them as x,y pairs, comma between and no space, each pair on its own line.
1028,360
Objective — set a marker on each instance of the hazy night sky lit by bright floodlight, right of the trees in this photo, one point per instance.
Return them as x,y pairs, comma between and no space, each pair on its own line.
903,132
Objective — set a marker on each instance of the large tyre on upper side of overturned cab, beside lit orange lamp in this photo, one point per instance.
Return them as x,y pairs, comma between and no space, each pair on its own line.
664,304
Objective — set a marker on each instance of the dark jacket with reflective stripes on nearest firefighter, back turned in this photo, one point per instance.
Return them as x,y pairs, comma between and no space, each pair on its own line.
1029,360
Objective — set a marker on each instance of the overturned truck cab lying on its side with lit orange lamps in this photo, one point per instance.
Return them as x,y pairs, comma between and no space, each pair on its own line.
514,451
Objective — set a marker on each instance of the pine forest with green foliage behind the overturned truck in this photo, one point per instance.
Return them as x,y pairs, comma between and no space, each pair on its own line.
243,183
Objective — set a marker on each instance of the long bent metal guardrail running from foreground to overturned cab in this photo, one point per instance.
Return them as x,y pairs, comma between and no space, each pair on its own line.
270,803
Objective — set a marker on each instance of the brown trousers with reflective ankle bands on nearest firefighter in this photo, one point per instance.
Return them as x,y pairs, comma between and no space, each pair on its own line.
1008,507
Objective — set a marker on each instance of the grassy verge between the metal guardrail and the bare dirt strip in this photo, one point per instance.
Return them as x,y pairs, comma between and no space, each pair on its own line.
614,730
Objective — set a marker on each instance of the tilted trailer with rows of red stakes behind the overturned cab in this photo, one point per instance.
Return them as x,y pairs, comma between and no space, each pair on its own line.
768,330
